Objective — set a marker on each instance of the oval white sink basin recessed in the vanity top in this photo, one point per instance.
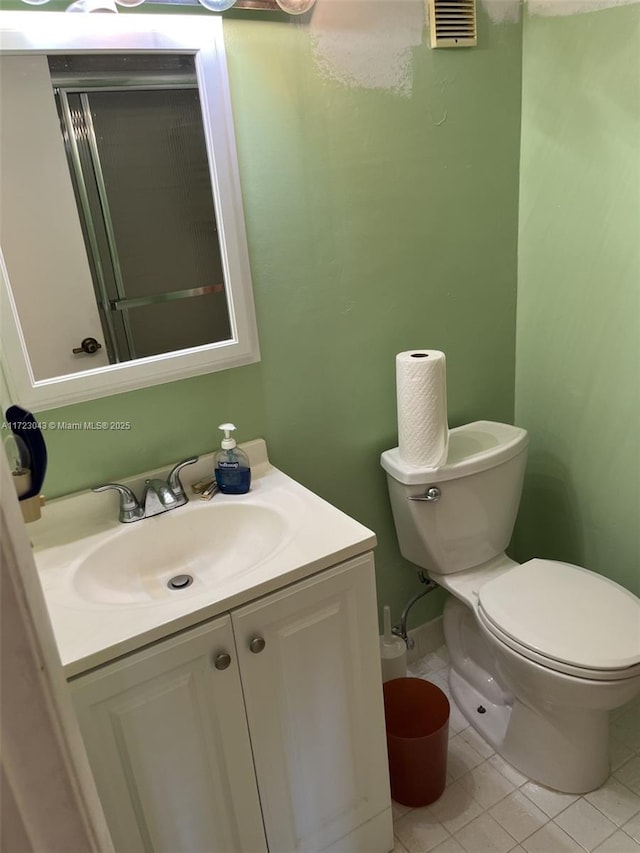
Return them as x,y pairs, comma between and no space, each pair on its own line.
209,543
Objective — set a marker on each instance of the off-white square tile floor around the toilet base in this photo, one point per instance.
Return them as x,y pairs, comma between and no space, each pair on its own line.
488,807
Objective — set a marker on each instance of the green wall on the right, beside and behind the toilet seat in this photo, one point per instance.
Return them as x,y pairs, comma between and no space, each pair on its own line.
578,328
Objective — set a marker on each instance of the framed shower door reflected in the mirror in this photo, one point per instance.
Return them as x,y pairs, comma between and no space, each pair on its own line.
132,127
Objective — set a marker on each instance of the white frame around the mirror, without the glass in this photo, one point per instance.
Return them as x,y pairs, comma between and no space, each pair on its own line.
52,32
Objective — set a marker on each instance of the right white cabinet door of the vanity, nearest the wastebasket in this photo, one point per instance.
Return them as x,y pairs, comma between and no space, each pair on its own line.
313,697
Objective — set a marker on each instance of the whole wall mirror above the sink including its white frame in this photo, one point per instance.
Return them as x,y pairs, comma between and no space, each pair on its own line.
124,257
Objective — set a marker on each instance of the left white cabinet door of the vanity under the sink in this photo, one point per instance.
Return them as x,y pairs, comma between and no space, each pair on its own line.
167,739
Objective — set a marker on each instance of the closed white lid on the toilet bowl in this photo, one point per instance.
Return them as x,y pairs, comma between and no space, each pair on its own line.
566,614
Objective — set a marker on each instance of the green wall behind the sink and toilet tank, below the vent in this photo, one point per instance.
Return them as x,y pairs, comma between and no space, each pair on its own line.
376,223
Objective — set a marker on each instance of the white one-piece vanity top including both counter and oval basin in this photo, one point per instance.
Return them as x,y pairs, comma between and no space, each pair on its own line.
105,583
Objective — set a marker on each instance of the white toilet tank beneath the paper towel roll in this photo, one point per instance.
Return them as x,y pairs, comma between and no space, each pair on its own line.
480,487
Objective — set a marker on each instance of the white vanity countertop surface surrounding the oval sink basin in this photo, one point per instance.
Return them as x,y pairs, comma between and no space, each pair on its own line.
91,633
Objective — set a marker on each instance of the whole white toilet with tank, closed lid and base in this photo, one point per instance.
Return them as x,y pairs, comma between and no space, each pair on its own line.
540,652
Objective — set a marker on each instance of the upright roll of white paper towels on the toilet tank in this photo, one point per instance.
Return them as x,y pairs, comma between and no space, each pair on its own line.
421,388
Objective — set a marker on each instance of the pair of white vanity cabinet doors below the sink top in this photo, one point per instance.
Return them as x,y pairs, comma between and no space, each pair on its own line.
278,747
